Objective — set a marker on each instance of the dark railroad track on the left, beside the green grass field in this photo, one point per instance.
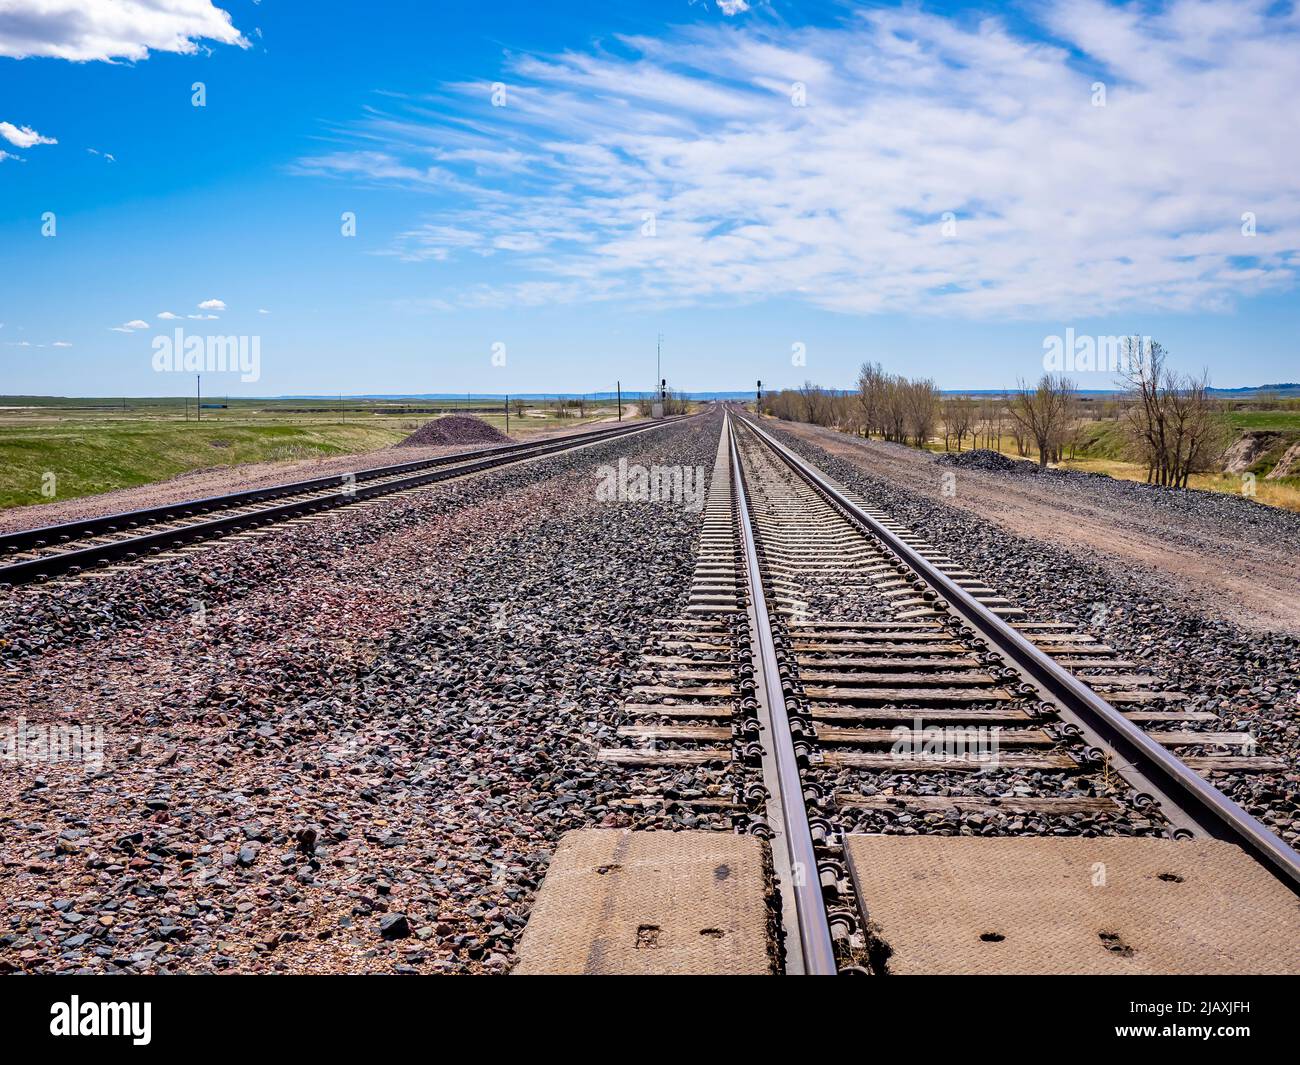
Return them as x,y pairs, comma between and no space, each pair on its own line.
77,547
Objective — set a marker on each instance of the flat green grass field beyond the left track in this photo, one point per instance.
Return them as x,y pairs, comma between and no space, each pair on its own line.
99,447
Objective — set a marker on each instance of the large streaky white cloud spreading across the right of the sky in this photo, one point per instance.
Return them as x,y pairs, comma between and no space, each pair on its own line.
1060,207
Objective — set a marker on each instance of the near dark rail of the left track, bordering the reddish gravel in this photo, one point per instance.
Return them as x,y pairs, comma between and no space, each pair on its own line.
456,466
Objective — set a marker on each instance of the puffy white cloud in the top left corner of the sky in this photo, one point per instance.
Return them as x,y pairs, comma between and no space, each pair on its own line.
107,31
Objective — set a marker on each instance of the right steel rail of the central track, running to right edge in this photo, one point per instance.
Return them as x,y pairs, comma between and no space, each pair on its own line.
1206,807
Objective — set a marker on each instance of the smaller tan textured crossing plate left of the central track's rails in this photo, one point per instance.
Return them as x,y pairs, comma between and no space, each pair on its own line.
623,903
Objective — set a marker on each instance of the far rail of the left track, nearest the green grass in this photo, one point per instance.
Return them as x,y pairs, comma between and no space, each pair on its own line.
45,536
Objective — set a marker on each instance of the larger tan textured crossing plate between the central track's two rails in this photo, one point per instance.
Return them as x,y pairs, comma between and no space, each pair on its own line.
963,906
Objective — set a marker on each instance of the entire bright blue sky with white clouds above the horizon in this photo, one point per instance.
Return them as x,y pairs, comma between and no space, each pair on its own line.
937,188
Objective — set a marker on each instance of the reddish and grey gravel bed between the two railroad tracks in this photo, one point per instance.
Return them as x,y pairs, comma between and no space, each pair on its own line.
362,755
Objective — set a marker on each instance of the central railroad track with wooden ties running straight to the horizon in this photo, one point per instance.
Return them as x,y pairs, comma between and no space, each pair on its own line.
840,681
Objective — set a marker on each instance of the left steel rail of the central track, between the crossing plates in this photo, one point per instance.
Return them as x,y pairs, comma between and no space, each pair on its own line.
814,932
